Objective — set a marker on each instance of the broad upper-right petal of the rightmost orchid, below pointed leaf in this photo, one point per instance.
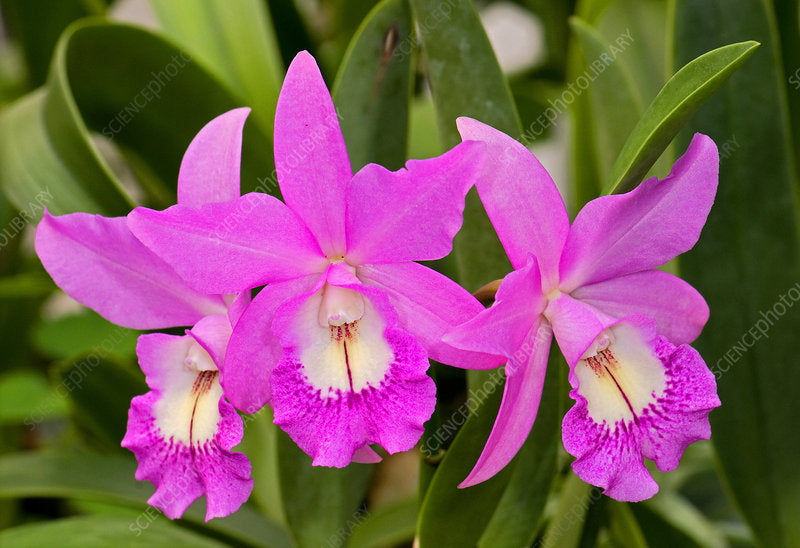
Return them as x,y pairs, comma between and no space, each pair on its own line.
646,227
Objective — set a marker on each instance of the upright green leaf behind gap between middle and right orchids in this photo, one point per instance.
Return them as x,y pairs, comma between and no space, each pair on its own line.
466,80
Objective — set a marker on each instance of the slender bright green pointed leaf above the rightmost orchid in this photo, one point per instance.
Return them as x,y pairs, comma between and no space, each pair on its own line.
678,100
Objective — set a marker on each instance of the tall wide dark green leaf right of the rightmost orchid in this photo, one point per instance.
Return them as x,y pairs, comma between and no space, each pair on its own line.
747,265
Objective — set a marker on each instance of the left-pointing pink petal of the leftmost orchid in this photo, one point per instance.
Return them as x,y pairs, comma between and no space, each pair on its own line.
97,261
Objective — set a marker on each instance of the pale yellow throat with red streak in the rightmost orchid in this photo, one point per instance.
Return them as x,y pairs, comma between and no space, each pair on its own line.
619,375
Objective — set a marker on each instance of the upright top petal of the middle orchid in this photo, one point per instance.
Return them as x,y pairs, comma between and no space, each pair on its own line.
310,155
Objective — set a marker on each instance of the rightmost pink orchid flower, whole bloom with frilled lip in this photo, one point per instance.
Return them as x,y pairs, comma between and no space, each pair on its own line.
640,390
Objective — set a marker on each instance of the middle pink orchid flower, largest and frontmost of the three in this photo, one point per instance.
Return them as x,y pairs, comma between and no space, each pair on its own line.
338,341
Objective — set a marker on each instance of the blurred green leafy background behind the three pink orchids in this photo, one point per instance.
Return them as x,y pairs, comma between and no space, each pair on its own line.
98,101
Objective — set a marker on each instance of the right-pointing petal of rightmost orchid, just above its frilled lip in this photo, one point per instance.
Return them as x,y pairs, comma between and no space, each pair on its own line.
679,310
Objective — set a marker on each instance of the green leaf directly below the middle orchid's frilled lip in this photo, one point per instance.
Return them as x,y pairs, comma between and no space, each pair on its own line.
322,505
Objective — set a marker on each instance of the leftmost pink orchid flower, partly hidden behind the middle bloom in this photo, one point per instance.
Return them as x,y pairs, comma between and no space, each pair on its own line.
183,430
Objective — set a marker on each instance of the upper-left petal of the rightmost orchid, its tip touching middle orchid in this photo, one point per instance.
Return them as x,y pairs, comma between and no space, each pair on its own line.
521,199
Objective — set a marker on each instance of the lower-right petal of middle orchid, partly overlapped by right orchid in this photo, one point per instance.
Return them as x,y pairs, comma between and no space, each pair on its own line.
429,305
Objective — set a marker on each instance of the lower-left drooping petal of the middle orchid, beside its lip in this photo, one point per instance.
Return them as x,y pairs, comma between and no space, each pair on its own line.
254,349
